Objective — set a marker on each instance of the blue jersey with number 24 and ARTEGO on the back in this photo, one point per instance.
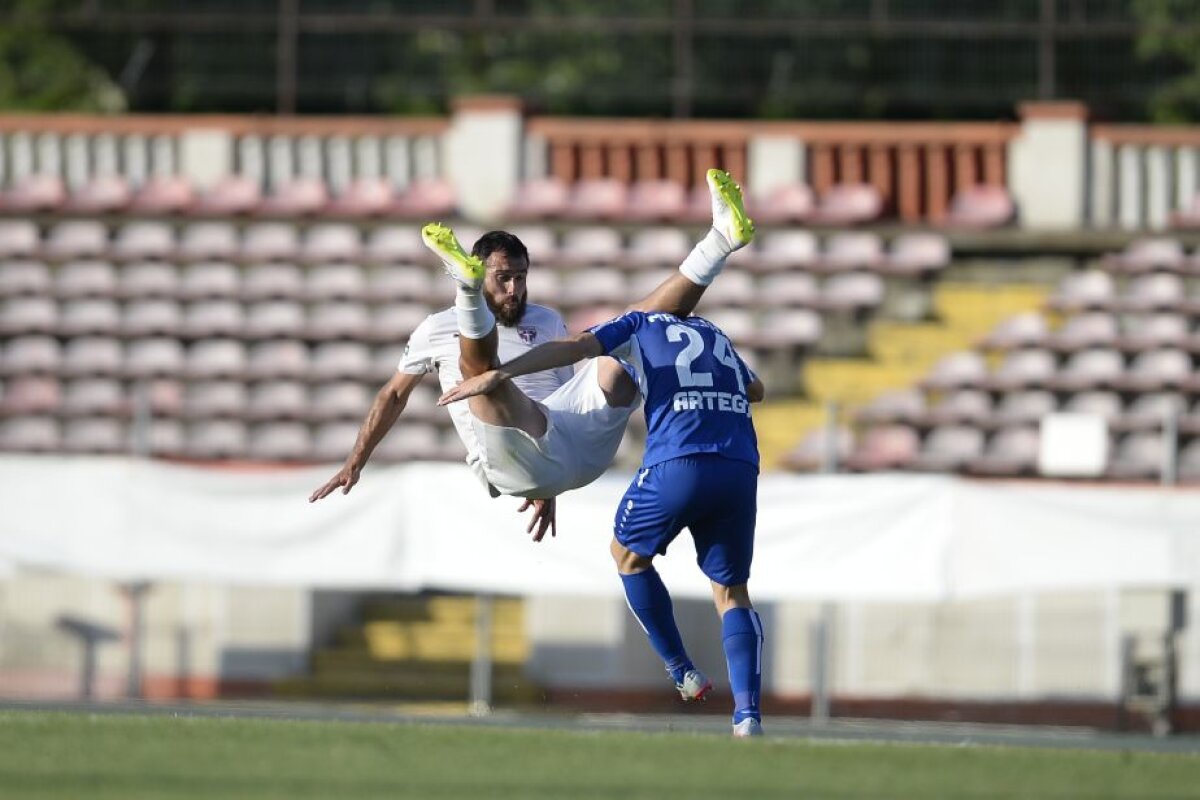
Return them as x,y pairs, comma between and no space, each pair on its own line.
694,384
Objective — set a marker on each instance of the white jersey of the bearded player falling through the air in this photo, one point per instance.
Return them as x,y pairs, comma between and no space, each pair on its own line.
434,347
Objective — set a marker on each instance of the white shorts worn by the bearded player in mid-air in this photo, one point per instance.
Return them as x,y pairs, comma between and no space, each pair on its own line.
583,436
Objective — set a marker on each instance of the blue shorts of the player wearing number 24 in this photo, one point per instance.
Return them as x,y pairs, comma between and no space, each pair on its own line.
716,498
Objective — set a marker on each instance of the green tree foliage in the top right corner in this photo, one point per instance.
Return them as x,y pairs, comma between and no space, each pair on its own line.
1171,32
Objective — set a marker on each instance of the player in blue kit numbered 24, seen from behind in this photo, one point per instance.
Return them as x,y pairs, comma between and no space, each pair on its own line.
700,472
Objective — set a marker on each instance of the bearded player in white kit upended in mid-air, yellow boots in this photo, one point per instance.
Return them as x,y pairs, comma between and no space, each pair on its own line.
550,432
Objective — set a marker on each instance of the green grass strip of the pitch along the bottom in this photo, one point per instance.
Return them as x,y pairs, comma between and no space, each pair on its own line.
58,755
